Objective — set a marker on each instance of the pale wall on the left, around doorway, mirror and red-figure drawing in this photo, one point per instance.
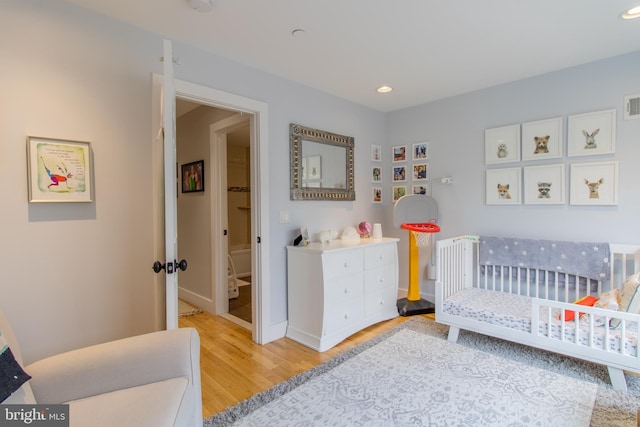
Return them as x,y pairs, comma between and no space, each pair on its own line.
78,274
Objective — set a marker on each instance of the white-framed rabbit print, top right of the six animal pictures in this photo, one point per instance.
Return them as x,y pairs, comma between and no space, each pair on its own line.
592,134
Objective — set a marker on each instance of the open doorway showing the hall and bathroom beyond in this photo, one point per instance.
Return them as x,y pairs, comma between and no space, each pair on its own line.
220,140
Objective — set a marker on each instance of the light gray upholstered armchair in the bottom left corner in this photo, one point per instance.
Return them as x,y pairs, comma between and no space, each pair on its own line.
147,380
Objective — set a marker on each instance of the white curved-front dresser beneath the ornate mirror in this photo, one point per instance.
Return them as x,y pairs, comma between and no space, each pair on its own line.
337,289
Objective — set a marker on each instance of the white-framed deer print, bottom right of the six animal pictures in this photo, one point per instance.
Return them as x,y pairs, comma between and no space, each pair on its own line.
594,183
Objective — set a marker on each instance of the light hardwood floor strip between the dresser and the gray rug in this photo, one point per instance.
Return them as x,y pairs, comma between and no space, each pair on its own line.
234,368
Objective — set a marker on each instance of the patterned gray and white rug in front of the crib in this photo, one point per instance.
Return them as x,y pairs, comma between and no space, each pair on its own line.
412,376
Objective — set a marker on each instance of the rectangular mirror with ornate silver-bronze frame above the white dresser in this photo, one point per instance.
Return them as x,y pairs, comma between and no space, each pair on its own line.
321,164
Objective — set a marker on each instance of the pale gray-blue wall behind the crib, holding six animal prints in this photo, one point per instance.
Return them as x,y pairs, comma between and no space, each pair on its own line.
455,129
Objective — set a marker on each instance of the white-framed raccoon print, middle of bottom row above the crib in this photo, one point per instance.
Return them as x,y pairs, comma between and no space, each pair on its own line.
544,185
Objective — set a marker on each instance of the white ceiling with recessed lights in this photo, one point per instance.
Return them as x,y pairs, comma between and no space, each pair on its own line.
425,49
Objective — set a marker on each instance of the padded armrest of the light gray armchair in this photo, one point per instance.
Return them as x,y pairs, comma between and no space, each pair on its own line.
117,365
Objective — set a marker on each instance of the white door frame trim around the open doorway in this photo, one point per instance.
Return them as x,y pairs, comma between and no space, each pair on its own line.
259,195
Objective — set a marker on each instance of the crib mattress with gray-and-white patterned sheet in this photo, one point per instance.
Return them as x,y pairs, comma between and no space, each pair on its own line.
514,311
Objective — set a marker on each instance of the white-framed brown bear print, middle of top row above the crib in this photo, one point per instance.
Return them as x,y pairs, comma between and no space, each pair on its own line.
542,139
